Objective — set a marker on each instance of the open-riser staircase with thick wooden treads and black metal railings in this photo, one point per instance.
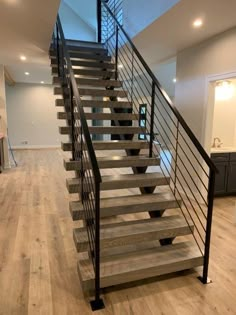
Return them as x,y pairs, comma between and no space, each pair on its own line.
124,237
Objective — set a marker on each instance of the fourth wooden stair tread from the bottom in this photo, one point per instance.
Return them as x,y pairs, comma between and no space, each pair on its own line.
111,182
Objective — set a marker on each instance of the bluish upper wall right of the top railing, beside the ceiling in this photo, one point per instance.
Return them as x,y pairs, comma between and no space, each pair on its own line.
137,17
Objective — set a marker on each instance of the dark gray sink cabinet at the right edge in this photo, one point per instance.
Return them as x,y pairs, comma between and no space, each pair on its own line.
226,178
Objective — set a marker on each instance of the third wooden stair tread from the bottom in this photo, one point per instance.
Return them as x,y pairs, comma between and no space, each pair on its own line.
128,204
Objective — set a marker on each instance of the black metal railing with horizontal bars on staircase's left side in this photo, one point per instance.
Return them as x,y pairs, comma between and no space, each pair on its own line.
82,151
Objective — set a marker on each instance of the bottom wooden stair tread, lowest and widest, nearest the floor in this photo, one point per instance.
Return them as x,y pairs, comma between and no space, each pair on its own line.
139,265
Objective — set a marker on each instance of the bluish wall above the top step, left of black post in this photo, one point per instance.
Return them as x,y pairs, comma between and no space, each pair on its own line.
74,27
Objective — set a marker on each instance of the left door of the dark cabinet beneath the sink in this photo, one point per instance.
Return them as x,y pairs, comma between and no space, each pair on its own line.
221,178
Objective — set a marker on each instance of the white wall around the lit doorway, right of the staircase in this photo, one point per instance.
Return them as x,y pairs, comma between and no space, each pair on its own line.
196,67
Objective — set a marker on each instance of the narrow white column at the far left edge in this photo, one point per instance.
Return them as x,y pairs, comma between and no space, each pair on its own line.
3,116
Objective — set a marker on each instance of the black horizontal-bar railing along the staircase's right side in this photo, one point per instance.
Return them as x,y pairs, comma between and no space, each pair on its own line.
183,160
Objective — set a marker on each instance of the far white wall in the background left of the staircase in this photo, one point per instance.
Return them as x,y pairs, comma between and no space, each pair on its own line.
32,116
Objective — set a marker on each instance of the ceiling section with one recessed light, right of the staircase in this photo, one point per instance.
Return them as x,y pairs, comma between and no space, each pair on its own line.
173,31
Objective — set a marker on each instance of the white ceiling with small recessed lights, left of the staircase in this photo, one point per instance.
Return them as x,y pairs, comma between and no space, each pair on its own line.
26,28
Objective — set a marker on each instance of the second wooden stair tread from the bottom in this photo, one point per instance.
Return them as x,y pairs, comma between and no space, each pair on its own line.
132,232
